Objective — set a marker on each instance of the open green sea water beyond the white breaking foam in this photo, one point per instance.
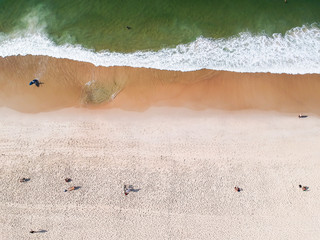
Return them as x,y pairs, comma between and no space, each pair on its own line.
102,24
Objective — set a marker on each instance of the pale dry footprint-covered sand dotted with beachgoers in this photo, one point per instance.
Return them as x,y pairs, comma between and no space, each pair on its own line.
184,165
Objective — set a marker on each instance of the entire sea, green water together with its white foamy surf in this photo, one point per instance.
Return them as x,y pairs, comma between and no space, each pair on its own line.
241,36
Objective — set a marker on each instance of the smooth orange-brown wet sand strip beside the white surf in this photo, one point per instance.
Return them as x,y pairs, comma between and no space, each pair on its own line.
77,84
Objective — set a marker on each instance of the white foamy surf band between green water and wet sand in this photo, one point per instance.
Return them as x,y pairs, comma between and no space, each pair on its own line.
296,52
